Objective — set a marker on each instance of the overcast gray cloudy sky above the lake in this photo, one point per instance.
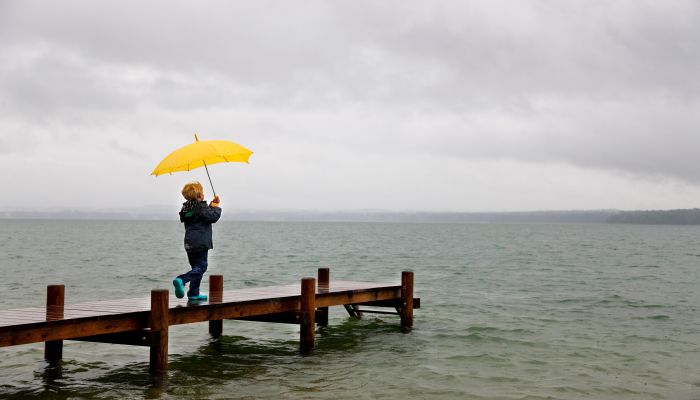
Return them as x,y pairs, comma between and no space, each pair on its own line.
351,105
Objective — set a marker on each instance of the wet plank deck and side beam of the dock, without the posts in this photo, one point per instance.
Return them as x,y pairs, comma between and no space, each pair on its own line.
31,325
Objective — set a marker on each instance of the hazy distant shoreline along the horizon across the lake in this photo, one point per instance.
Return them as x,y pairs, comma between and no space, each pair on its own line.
650,217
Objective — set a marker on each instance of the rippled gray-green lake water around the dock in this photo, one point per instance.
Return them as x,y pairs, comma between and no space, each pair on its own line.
523,311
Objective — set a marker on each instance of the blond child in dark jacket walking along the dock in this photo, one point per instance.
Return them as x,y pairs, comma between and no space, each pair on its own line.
198,217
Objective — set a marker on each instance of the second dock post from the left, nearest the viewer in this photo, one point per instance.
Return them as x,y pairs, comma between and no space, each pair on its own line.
159,330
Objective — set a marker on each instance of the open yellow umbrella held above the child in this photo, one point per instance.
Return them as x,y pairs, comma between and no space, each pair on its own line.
202,153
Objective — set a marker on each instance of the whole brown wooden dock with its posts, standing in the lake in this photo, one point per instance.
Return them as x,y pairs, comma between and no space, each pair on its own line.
145,322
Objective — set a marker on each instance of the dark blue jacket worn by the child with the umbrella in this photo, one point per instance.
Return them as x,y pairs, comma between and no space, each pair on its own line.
198,217
